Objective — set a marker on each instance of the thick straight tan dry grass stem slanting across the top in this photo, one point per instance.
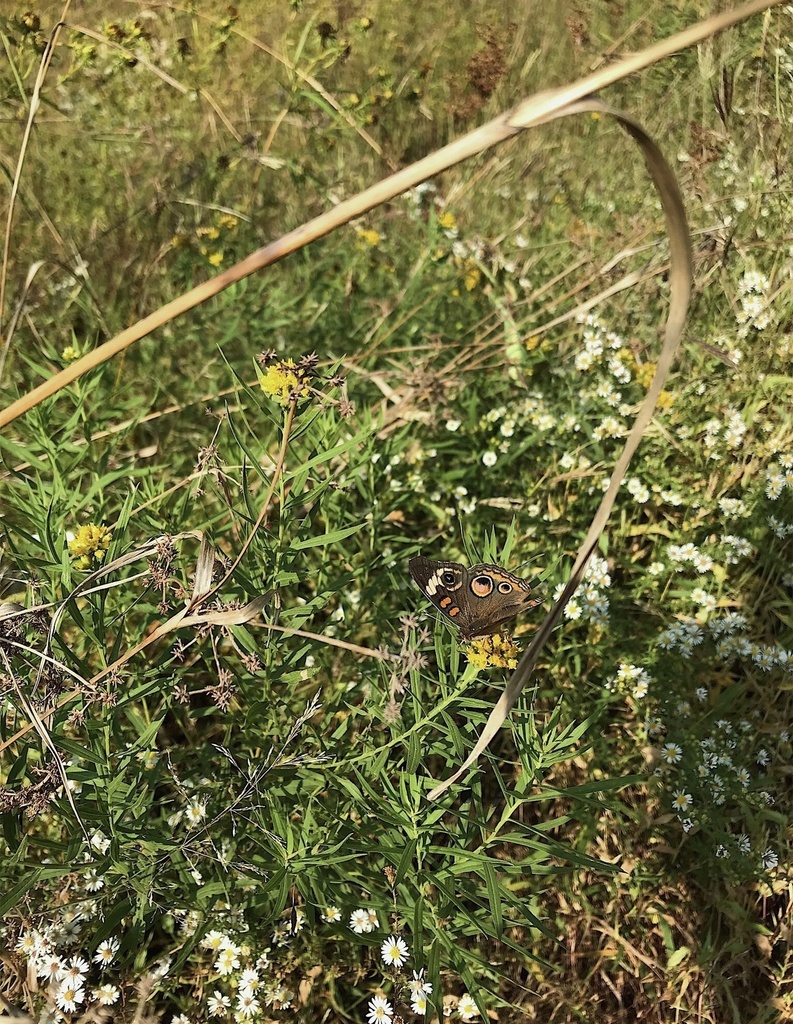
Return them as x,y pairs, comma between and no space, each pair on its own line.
536,111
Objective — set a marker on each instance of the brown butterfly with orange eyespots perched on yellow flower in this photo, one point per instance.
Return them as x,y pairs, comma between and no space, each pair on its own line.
478,600
